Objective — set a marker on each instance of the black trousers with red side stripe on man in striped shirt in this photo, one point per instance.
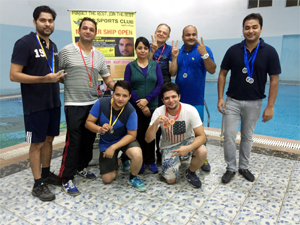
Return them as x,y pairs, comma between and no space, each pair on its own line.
78,151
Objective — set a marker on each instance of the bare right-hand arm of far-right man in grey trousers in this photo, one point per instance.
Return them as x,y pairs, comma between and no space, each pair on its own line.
269,111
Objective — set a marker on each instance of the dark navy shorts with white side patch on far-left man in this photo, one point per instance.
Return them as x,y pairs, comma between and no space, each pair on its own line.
40,124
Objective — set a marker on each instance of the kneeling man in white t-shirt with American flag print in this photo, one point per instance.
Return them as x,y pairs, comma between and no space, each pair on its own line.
182,134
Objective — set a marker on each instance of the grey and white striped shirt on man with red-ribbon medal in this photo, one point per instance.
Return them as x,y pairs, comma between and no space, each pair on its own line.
76,82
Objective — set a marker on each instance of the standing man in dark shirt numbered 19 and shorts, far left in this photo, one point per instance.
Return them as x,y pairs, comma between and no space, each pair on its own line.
34,64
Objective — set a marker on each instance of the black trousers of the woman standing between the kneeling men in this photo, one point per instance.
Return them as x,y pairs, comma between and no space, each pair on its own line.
148,149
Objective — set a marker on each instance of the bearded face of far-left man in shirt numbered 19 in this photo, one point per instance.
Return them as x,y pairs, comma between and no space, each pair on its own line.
44,24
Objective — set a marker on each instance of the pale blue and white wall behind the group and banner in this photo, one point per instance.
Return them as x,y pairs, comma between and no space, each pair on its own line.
217,21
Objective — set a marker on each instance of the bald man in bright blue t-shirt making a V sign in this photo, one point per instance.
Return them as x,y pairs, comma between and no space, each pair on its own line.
193,61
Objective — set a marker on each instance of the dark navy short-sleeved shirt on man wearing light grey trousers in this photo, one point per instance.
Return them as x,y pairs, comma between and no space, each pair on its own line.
266,62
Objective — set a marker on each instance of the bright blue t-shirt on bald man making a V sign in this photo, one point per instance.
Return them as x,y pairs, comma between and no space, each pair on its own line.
192,86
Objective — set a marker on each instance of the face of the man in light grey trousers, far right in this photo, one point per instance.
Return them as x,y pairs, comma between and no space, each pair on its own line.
252,30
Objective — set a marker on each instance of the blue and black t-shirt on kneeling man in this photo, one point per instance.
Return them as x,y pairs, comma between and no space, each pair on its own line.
126,121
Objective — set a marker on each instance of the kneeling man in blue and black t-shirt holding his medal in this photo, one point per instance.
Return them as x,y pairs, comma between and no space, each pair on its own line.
117,121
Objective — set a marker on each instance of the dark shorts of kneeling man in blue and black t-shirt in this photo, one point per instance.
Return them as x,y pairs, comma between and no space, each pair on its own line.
110,164
